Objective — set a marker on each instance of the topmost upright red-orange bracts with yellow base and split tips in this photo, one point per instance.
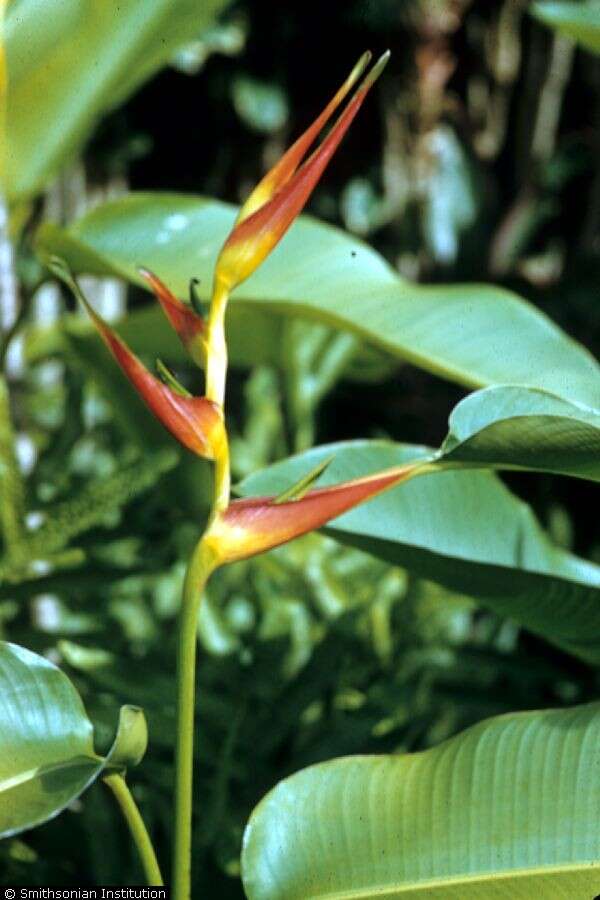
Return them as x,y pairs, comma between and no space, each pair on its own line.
281,195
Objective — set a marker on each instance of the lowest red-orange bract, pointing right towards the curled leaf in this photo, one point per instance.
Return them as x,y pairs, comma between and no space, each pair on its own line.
252,526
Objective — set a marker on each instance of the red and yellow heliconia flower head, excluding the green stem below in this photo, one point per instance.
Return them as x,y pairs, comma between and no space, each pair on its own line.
244,528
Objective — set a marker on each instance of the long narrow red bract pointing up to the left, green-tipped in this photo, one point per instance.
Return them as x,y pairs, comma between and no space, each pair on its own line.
196,422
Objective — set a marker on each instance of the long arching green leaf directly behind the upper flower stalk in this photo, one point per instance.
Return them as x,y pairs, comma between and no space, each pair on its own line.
476,335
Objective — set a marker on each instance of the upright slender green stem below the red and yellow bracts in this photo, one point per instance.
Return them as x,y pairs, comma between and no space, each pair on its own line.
200,567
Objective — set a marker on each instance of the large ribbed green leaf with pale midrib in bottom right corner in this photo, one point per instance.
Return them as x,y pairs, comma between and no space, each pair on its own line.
507,809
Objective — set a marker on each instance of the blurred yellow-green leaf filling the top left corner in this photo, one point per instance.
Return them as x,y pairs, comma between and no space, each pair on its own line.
69,62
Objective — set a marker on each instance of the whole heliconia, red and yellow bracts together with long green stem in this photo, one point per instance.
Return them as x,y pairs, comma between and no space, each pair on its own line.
240,529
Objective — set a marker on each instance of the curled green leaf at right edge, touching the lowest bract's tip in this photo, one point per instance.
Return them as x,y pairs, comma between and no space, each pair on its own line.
521,428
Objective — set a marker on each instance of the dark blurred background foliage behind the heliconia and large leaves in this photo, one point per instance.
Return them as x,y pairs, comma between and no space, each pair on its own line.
476,160
